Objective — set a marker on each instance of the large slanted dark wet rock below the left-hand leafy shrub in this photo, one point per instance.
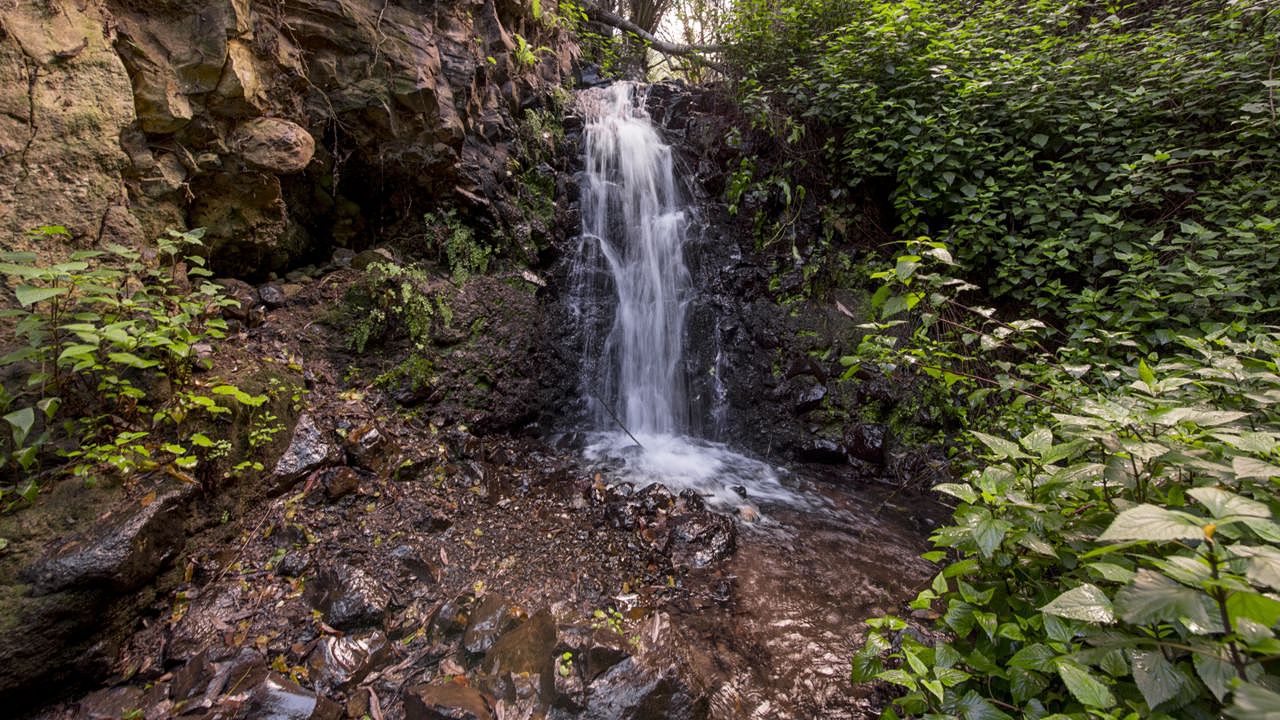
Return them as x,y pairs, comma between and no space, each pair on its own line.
121,554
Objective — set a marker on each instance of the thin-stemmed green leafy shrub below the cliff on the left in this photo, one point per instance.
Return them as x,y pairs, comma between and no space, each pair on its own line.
106,370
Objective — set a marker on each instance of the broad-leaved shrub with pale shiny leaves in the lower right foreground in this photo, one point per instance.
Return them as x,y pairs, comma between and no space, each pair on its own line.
1113,552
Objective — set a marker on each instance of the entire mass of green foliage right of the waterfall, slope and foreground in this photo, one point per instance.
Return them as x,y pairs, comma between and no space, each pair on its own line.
1110,176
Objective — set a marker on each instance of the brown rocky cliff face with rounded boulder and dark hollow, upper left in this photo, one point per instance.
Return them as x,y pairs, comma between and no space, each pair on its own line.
286,129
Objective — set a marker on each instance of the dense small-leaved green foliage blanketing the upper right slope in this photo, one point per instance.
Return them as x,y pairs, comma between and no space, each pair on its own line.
1113,165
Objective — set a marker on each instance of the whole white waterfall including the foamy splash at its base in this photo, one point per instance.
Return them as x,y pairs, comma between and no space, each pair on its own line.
630,277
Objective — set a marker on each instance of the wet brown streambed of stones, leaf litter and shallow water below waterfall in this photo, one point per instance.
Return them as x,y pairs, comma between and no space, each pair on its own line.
396,564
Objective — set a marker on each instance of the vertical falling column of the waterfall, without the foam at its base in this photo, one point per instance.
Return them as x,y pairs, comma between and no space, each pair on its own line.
636,224
